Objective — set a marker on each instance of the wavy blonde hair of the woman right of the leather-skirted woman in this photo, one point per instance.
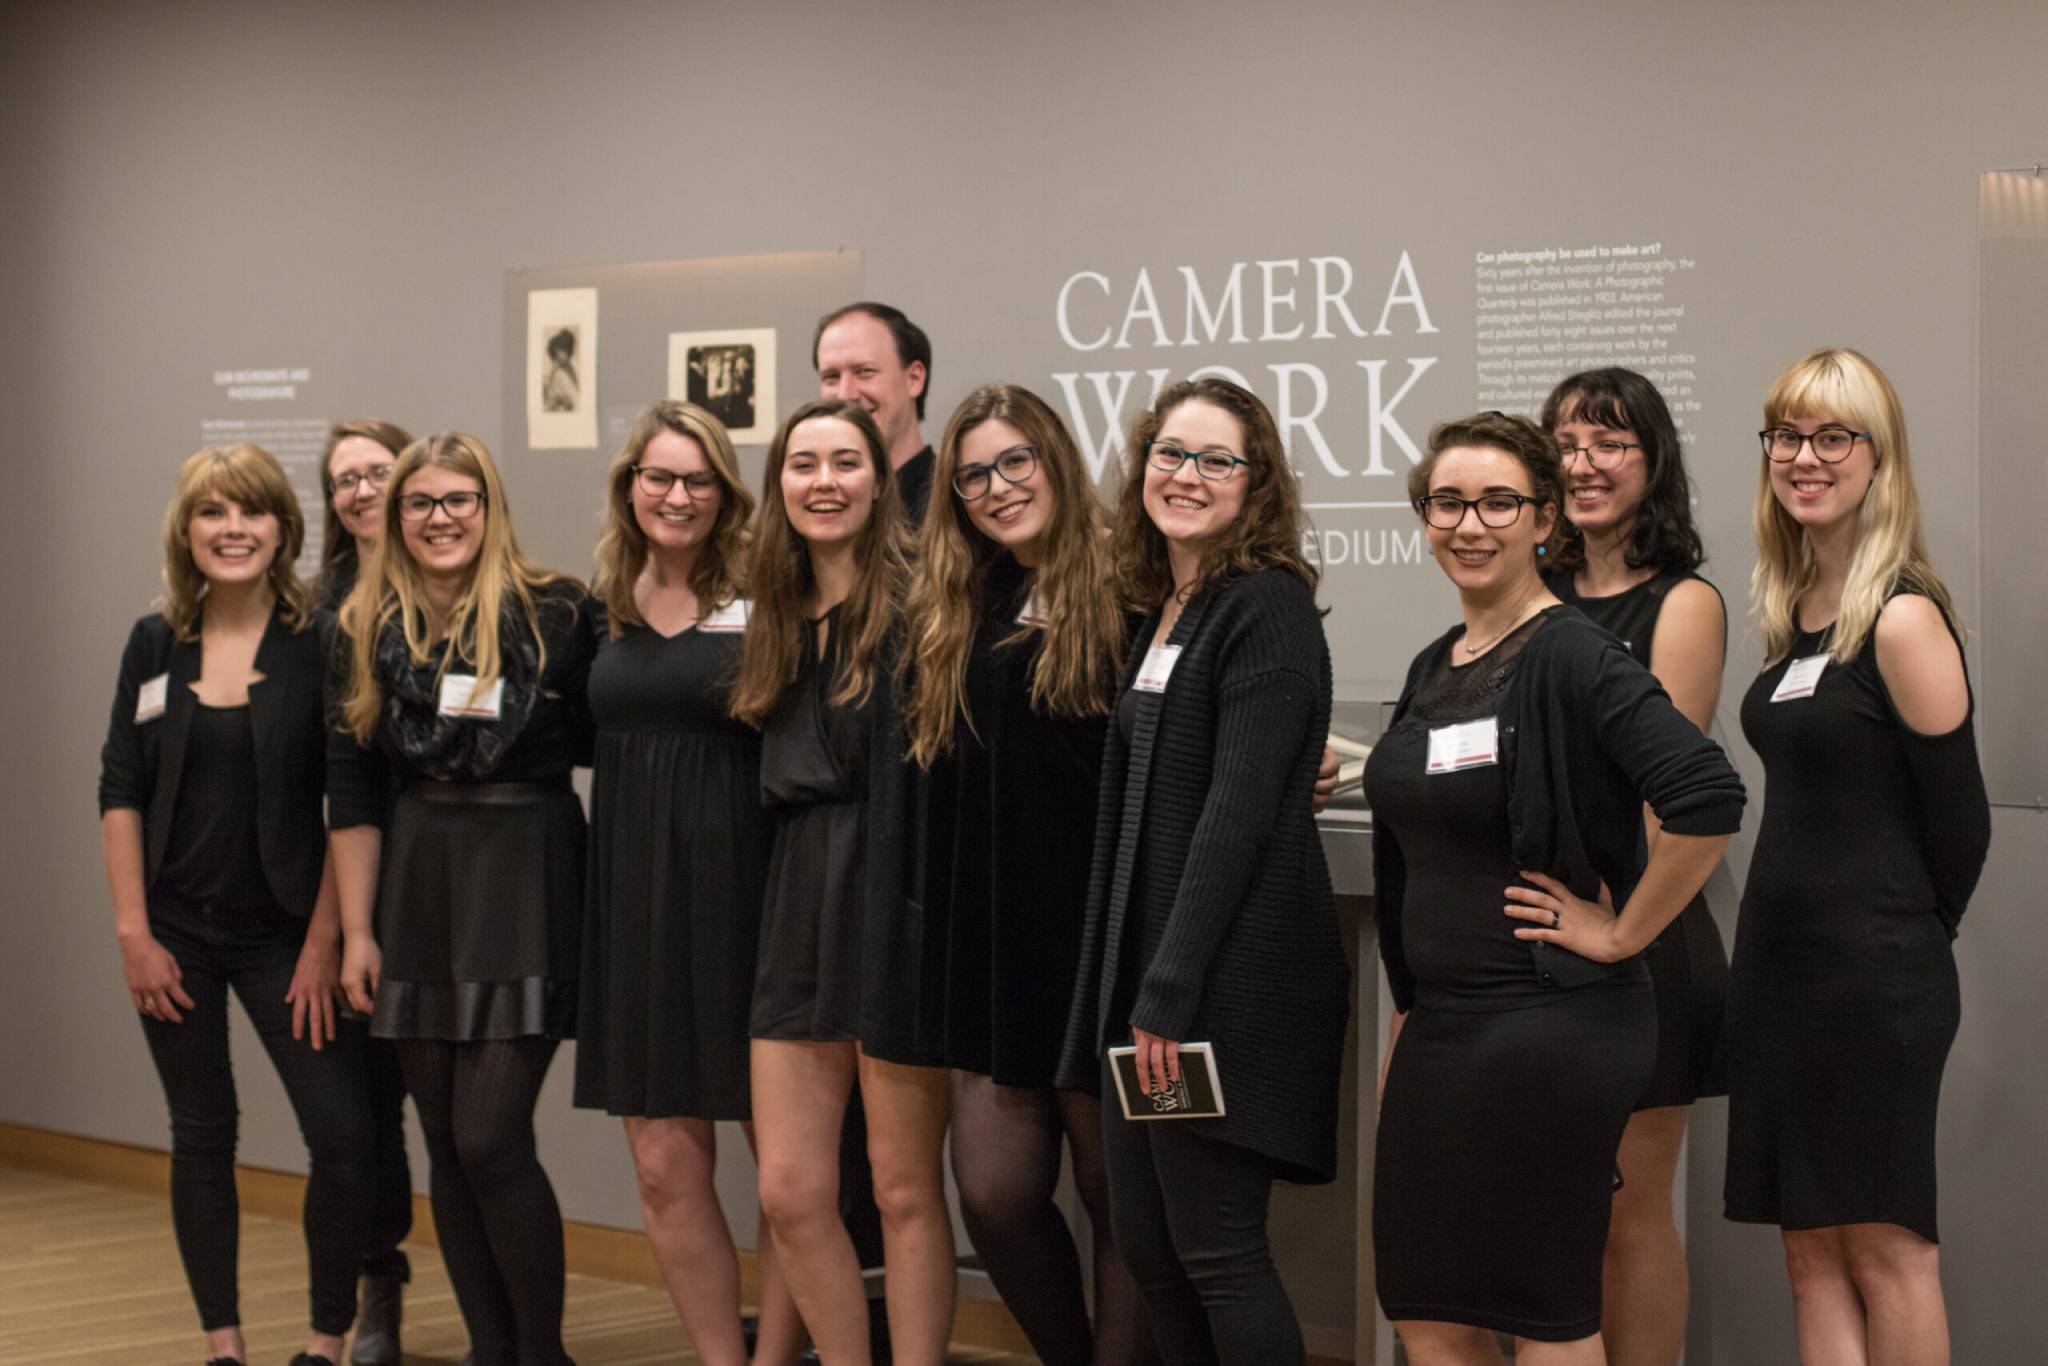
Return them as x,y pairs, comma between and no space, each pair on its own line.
716,579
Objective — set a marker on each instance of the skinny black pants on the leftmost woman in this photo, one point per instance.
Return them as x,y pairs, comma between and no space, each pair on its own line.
327,1097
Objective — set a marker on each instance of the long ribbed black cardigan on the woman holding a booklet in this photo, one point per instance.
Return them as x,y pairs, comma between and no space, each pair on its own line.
1209,906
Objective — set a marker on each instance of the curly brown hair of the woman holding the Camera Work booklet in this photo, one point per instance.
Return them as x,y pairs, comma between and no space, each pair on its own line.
1267,533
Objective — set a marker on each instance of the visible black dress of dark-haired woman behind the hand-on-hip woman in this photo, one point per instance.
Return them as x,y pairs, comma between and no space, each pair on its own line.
1689,962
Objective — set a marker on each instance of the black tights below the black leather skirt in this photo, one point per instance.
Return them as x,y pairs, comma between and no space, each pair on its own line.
495,1209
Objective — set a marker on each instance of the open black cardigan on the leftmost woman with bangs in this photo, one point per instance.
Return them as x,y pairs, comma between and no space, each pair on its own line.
140,763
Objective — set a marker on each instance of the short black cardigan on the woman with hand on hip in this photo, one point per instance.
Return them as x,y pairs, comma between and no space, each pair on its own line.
1586,738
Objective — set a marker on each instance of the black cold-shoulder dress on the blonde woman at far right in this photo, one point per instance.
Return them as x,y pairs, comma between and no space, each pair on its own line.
1842,996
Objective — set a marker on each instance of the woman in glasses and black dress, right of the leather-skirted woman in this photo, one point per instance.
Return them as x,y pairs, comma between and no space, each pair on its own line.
679,855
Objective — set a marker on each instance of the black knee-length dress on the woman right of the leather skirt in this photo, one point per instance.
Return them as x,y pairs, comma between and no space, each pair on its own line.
679,855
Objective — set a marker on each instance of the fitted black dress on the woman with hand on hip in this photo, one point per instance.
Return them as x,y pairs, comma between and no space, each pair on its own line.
1506,1101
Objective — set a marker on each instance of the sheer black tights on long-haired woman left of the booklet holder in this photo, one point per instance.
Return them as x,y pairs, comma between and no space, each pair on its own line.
1007,1162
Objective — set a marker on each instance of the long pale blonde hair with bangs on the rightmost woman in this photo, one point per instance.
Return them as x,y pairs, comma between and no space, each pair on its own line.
1891,550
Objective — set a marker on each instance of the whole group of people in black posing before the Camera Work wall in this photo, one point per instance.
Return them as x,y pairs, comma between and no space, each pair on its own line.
925,777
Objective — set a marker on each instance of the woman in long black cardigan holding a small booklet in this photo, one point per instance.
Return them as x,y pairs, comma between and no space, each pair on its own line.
1209,910
